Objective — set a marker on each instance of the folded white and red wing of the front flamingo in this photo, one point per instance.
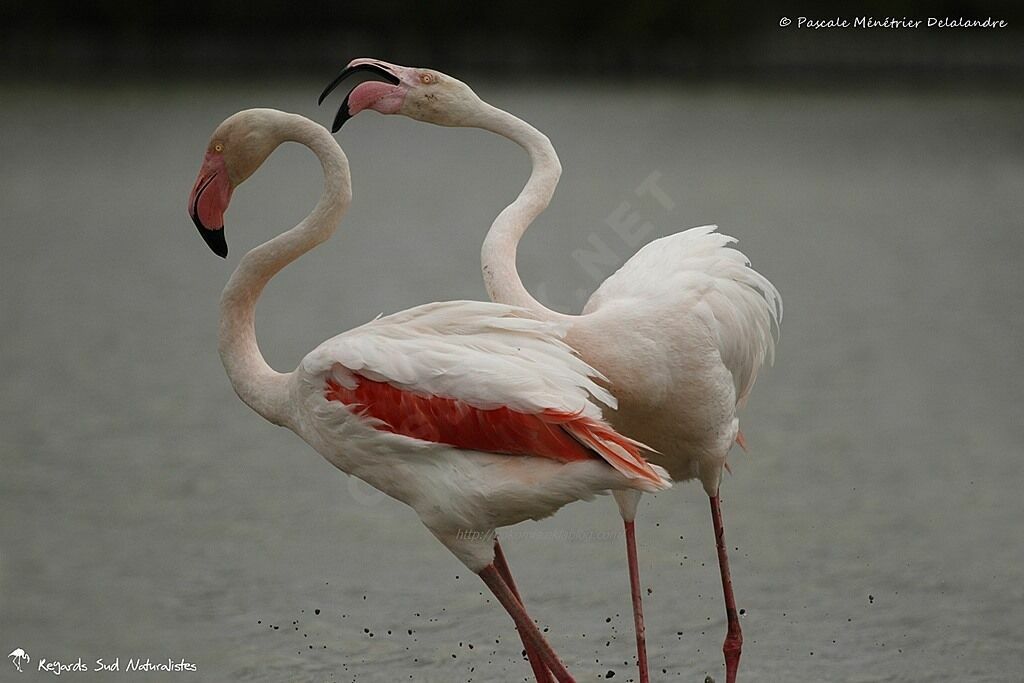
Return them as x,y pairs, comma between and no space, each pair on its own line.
477,376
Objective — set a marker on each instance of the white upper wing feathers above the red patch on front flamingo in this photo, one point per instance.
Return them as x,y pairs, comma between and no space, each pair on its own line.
489,356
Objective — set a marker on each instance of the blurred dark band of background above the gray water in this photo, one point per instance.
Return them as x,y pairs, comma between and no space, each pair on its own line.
703,40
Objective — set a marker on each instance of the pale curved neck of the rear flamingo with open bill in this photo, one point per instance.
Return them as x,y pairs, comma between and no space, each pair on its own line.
498,257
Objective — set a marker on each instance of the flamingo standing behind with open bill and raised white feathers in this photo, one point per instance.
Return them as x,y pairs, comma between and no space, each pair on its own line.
680,331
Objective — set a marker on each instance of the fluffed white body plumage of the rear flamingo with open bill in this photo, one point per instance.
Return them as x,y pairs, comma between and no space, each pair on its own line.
701,323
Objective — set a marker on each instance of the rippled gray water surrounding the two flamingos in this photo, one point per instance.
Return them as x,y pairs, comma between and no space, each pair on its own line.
875,528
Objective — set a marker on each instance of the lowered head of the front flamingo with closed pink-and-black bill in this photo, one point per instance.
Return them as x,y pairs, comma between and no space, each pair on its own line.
236,150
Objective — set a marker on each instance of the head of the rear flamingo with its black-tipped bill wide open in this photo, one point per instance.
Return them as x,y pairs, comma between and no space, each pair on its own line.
423,95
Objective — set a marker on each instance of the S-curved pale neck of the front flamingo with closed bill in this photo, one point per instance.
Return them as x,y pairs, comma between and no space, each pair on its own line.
263,389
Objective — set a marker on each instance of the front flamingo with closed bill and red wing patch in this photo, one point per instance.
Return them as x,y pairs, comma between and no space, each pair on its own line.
476,415
